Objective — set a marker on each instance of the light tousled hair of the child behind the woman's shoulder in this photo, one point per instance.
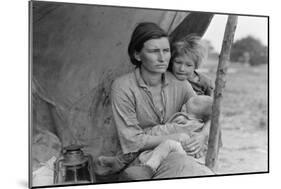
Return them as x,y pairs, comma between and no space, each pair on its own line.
192,46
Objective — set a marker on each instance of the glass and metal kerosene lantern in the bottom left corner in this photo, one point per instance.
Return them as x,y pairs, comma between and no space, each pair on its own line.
74,167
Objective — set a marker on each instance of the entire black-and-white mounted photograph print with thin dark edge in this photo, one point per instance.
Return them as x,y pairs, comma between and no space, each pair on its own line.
124,94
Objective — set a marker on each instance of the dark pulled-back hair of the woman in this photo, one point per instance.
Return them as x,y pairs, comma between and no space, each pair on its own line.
143,32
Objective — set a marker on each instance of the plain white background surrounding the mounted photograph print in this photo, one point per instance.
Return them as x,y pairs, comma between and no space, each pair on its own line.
14,98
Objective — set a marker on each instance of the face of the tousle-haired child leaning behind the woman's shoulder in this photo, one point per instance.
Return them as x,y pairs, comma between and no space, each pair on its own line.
183,67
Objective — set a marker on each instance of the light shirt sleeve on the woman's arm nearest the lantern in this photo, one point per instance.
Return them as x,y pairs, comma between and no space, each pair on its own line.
131,135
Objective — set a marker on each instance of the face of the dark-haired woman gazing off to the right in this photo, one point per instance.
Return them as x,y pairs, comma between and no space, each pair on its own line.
155,55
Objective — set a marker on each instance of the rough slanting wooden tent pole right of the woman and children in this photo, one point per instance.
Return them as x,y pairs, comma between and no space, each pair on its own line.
212,153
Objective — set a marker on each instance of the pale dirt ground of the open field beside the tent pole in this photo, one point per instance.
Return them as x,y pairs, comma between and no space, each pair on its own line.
244,119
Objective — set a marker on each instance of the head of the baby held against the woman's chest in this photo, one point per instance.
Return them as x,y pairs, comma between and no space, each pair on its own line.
200,107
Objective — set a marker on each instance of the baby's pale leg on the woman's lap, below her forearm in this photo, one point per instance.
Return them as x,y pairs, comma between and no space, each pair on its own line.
162,151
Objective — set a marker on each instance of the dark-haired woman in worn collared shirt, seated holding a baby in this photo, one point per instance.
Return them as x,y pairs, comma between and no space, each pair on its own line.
148,97
